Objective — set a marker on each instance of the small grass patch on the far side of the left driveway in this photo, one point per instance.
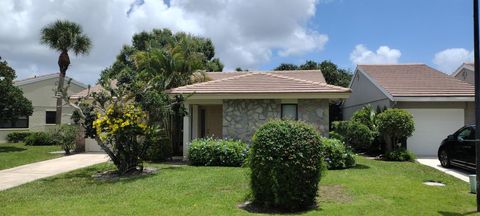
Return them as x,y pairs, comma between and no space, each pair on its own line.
16,154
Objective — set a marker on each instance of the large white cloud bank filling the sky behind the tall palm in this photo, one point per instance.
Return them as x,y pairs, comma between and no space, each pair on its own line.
245,33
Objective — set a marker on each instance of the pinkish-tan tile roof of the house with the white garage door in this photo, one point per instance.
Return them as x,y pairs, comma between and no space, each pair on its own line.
415,80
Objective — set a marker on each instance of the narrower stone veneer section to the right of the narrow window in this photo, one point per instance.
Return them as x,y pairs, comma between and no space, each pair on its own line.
314,111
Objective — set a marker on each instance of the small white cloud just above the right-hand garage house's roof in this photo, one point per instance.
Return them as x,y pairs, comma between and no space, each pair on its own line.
450,59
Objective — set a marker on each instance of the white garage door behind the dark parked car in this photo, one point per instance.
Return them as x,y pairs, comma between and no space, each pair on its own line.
431,127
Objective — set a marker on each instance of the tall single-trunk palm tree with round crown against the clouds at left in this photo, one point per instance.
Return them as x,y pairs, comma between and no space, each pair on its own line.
63,36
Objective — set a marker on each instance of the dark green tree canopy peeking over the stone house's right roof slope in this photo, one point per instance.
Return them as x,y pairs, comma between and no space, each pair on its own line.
333,75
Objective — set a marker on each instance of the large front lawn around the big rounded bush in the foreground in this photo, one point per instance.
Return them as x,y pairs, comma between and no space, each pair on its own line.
373,188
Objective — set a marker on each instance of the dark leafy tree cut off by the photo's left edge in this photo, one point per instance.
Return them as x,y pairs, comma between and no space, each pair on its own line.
12,102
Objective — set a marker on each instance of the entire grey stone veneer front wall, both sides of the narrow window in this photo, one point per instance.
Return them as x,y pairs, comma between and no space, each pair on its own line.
242,117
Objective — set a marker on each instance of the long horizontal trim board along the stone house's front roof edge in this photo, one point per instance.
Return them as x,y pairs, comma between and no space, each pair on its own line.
271,96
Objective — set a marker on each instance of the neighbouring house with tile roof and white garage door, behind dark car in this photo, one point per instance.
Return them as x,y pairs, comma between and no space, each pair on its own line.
440,104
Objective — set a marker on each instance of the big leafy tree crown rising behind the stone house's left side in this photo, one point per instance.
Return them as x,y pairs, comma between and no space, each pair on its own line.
164,40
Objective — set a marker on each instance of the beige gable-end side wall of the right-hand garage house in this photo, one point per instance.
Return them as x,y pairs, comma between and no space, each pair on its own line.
364,92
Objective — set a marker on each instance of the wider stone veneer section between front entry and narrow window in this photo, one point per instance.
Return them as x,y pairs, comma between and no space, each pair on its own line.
241,118
